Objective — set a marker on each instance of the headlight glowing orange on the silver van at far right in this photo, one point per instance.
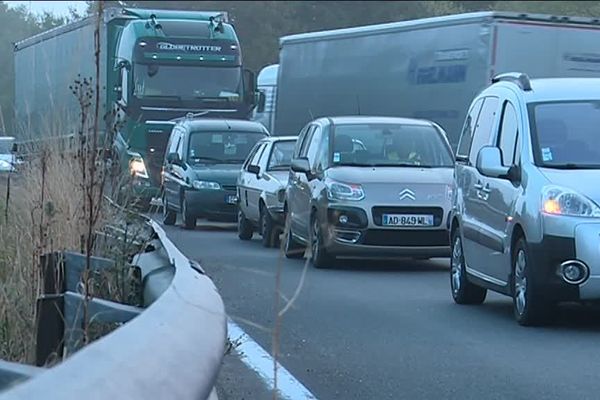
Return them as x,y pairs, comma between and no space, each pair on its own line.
557,200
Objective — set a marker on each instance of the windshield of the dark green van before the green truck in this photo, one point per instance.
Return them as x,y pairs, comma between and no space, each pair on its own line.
221,147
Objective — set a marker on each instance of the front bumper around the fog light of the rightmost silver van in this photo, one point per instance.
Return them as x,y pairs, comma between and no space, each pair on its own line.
547,256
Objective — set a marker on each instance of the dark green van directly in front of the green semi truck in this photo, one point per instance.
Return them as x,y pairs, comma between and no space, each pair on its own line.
202,163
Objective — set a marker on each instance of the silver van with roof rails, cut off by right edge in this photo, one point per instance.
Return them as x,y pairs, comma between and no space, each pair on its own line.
526,212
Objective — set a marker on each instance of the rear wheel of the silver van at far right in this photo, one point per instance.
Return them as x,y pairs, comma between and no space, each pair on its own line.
463,291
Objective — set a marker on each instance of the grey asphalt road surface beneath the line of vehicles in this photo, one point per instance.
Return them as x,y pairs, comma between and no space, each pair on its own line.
389,329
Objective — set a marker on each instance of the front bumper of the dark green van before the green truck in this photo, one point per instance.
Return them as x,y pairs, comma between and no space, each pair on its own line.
212,204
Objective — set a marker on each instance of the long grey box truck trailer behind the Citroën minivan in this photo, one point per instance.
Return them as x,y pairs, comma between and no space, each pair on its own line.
429,68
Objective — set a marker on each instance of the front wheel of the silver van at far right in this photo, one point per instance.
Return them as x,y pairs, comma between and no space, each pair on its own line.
531,306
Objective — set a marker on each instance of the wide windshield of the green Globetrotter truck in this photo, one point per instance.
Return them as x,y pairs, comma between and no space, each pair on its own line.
186,82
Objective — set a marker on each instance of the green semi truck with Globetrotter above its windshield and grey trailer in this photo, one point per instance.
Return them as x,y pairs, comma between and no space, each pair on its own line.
155,66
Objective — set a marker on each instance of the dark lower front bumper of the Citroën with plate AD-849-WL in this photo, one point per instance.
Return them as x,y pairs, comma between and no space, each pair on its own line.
361,236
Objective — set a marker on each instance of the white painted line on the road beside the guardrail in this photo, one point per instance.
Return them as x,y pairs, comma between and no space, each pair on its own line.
257,359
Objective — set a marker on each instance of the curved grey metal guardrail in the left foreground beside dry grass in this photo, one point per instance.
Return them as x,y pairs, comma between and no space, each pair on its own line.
171,350
